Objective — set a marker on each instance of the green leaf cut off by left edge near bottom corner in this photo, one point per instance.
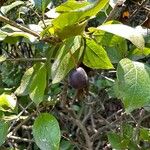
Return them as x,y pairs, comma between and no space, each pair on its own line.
3,131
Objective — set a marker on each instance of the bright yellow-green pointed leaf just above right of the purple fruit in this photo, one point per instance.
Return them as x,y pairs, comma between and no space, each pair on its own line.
95,56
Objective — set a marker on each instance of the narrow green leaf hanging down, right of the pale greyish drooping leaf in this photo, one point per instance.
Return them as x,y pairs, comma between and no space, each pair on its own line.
38,83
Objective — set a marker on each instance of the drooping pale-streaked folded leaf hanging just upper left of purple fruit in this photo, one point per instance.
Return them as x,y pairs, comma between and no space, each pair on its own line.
65,62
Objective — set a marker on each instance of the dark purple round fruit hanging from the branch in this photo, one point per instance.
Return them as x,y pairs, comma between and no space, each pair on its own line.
78,78
